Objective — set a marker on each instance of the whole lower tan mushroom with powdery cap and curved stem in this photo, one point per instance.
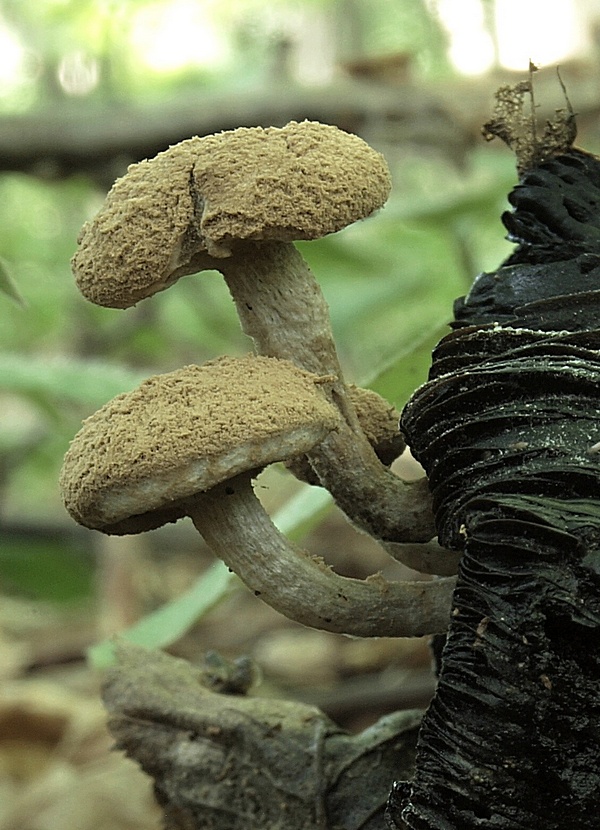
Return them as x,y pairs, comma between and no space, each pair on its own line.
188,443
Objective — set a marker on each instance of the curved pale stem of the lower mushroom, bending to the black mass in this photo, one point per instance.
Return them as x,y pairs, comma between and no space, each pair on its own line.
237,528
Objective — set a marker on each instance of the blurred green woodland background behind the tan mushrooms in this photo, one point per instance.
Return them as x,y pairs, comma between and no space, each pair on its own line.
89,86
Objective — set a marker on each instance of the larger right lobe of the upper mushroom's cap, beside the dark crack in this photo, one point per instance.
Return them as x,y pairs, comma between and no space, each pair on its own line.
302,181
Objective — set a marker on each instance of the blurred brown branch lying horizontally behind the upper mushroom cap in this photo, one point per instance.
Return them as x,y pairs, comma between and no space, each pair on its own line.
86,137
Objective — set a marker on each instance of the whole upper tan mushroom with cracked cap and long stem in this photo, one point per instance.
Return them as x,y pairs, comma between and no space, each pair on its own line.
234,202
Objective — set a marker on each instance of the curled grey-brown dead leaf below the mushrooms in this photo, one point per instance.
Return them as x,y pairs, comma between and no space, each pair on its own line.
230,760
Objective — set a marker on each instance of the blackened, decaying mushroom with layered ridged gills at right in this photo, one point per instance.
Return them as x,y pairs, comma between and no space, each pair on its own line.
507,429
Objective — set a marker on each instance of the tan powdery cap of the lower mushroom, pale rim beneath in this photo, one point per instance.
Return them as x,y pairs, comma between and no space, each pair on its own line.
134,462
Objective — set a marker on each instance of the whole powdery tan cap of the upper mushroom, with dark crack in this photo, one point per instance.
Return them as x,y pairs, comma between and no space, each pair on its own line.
301,181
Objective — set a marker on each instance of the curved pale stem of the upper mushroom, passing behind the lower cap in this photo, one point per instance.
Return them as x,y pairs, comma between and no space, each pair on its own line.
281,307
